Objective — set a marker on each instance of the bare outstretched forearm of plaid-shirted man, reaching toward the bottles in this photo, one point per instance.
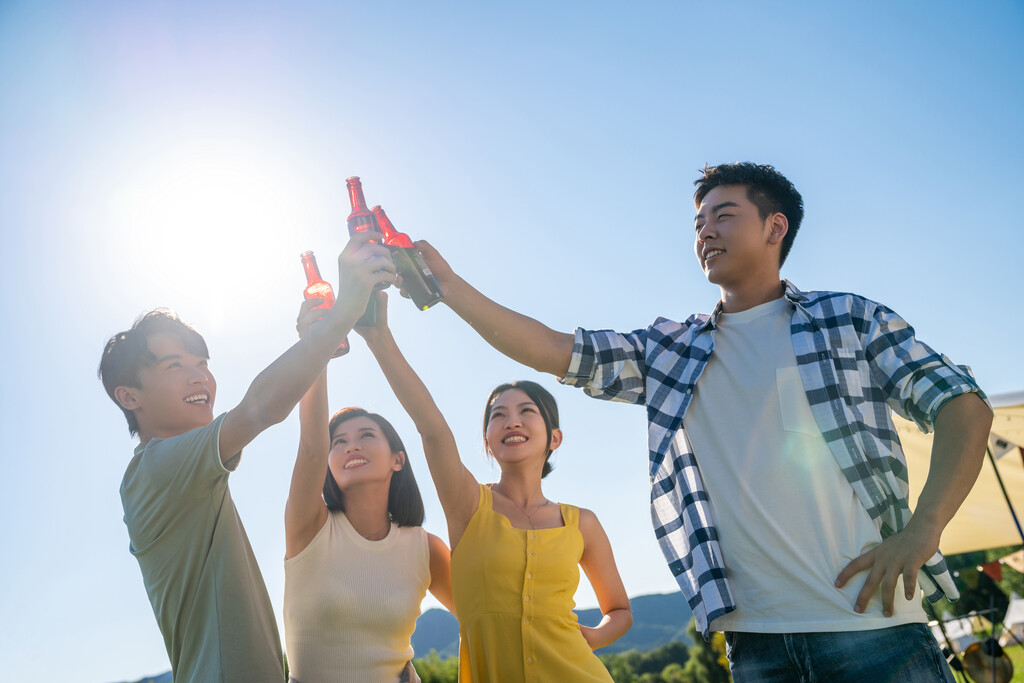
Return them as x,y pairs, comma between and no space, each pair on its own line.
518,336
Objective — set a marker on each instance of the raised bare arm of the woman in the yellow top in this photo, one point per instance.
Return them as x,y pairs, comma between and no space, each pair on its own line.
457,489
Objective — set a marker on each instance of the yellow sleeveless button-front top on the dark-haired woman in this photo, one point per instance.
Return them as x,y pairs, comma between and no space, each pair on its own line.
514,593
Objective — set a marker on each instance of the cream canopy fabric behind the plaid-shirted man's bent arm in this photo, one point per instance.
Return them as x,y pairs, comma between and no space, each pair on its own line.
985,521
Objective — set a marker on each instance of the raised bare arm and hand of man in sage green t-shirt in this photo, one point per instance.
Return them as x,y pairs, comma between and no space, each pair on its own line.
276,391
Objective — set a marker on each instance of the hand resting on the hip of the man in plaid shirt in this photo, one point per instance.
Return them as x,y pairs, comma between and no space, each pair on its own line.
901,556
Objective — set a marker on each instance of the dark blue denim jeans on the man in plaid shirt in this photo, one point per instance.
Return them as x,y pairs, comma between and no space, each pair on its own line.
906,654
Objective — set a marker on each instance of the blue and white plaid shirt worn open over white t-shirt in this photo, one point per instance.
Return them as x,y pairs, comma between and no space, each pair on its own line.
857,359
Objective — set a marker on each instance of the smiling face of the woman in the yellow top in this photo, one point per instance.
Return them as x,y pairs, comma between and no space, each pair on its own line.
517,433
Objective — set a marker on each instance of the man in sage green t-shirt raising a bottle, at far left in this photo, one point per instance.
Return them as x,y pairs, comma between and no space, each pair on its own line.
206,589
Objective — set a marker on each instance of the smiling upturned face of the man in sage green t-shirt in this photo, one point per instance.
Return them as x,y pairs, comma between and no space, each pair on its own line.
176,393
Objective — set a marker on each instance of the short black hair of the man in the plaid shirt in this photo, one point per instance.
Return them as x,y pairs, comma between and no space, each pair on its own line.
767,189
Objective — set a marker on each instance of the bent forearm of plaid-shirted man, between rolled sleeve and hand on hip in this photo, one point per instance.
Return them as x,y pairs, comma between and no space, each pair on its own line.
962,430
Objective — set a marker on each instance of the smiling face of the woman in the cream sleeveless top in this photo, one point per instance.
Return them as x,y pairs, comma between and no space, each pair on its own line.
361,454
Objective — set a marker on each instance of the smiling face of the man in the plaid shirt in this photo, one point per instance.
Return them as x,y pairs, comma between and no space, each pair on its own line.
733,243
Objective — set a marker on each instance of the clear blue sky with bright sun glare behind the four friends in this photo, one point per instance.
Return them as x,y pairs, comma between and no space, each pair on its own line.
184,154
